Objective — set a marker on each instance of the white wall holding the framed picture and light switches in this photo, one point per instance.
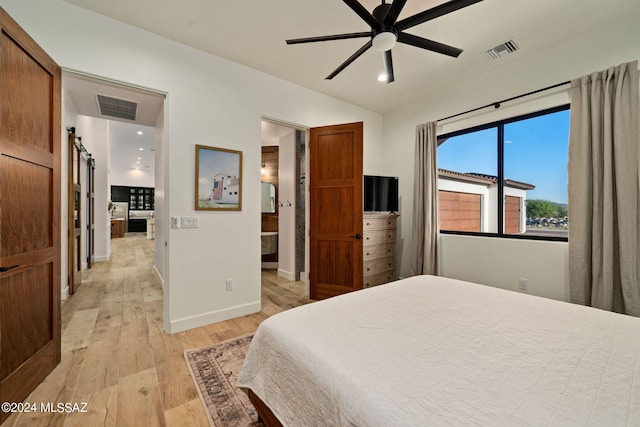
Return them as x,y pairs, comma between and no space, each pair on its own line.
210,101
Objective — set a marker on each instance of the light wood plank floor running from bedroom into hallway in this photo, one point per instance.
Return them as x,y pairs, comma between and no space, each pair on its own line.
115,355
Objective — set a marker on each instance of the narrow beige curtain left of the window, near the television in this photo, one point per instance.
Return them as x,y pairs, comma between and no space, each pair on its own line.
424,236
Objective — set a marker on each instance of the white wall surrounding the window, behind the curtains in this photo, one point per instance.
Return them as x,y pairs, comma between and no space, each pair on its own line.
500,262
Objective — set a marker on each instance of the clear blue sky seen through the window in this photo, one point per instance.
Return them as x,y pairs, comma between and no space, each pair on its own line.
536,152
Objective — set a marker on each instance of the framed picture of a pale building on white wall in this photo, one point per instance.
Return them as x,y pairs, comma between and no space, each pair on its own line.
218,179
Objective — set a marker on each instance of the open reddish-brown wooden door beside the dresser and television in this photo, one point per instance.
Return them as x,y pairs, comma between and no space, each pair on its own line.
335,184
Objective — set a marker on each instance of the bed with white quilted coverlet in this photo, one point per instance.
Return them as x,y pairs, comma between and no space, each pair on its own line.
434,351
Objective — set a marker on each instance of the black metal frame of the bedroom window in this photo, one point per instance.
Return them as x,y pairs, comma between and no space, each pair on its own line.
499,125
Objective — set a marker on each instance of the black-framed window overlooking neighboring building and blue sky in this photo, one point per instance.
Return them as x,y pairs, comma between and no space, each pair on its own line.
507,178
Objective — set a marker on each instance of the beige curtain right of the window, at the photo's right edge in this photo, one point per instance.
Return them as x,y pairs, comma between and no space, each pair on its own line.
604,250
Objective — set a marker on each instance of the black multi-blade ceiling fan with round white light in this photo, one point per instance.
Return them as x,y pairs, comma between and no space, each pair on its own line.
386,30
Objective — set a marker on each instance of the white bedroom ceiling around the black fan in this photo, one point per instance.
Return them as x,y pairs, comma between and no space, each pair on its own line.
253,33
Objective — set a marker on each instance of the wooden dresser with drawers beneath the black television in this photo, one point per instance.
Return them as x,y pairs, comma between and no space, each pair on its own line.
379,246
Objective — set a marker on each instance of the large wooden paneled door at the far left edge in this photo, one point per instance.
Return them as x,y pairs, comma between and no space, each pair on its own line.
29,213
